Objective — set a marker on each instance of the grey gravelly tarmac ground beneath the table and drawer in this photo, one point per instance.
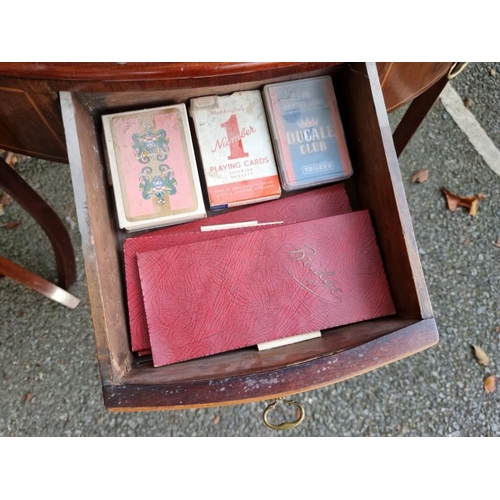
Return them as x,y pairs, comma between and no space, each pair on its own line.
50,384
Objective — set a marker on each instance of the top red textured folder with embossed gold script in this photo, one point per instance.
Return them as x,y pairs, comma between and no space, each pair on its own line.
227,293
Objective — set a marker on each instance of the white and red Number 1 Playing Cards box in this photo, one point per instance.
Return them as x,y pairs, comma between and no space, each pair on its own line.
236,149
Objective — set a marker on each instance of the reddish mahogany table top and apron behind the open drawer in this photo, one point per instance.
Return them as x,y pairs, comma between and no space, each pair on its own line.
30,112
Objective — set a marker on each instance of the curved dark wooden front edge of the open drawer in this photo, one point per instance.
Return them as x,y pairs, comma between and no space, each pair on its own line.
371,352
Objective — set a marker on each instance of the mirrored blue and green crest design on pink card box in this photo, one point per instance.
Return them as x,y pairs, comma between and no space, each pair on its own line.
154,144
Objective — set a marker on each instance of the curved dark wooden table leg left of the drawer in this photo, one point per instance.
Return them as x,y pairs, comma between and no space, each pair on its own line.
58,235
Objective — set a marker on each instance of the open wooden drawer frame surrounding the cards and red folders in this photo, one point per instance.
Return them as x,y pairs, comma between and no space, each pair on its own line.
247,374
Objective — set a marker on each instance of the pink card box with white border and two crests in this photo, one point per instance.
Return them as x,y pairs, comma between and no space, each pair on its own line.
153,168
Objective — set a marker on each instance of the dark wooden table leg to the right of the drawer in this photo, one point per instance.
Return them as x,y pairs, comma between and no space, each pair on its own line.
416,113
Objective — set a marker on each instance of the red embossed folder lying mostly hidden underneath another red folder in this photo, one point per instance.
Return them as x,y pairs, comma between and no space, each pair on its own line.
323,202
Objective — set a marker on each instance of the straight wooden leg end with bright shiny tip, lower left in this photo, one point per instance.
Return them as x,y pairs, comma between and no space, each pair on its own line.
35,282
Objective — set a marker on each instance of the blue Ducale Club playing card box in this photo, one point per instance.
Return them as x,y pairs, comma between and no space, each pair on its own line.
307,132
